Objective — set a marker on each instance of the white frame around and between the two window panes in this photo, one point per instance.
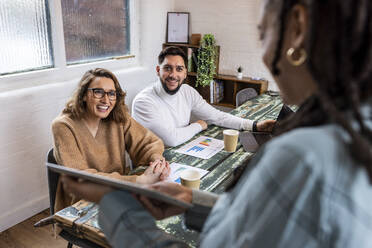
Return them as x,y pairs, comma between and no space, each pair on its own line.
61,71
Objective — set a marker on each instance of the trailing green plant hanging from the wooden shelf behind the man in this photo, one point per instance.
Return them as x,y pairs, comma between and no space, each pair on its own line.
206,67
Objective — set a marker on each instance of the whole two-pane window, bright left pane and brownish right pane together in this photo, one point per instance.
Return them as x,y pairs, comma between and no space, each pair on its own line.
90,30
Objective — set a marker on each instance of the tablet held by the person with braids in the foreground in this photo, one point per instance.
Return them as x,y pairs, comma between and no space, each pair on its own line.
118,184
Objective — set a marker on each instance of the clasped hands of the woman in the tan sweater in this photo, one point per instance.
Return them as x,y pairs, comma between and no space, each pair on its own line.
158,170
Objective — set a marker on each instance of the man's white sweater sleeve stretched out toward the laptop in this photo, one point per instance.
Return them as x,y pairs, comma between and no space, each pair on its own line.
204,111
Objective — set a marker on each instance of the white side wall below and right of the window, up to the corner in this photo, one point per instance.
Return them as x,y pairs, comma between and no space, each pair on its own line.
26,115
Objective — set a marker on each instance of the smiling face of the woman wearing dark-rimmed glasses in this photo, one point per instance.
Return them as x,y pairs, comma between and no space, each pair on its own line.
98,109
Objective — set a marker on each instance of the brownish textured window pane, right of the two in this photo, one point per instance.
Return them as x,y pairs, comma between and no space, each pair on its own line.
95,29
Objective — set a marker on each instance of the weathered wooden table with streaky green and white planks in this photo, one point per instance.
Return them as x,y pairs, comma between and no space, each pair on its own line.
221,167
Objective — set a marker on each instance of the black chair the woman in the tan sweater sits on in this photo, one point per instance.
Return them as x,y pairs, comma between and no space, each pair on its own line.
52,183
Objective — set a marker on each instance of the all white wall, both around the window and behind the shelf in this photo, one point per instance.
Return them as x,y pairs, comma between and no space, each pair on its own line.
29,106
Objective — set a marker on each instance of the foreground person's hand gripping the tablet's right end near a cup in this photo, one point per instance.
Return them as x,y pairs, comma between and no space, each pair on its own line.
161,210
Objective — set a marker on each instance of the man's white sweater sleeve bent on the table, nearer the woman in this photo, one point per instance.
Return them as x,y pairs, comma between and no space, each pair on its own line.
148,115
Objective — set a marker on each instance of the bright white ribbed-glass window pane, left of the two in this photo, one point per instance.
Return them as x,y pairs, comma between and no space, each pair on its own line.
24,36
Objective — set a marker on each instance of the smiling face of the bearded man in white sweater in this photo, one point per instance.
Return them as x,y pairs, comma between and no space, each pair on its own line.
172,72
